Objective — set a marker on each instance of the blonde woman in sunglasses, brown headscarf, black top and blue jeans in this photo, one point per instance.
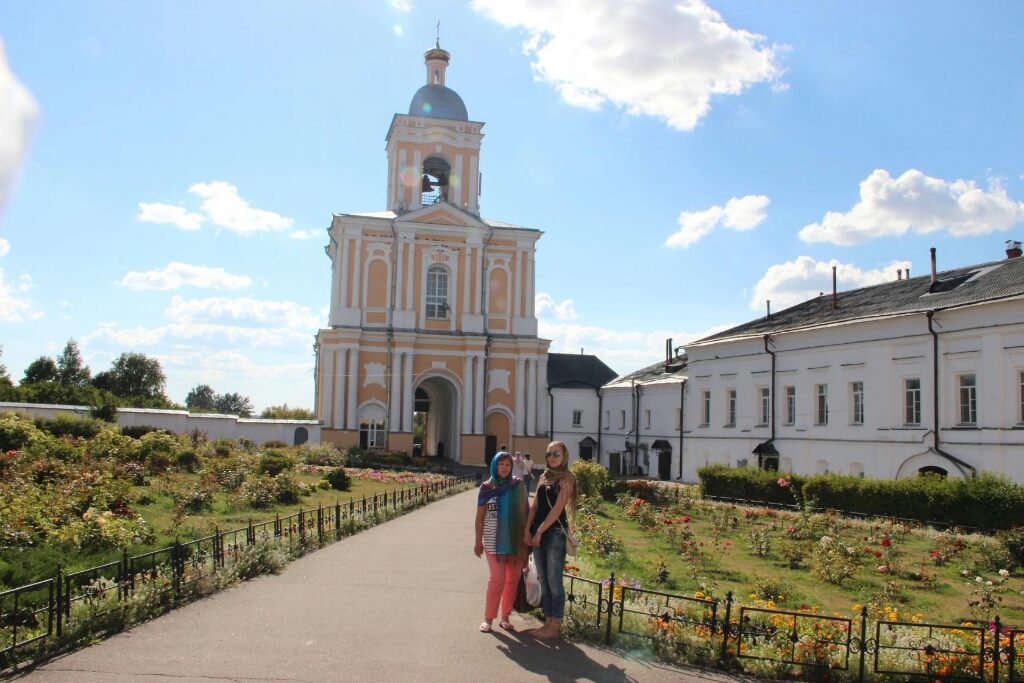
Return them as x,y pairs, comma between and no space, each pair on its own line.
547,526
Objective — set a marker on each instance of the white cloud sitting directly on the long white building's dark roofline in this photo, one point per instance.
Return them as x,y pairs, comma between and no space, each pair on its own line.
795,282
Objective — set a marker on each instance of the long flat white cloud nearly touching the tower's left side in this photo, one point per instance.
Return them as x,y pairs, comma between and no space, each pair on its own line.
284,314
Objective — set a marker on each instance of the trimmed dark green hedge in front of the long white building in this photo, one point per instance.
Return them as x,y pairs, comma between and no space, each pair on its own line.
988,502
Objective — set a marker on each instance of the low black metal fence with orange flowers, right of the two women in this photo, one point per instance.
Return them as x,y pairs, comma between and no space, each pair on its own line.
724,633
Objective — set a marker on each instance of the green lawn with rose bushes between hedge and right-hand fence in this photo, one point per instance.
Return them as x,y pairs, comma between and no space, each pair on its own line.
726,561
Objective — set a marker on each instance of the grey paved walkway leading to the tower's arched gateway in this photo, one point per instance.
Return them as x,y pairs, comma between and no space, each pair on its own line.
399,603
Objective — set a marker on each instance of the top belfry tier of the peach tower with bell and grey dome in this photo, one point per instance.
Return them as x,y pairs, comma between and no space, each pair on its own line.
435,151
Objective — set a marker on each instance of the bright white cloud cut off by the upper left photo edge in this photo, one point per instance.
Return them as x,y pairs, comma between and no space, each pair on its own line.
19,114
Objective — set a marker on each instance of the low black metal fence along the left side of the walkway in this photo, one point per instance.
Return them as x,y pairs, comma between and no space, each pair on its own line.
44,611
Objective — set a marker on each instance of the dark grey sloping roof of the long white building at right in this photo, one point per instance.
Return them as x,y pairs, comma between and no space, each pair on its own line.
960,287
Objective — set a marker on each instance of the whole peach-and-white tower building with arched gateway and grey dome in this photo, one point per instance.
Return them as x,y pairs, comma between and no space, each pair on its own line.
433,307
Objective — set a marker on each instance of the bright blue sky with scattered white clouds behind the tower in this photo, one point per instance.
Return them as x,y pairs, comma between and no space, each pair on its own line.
170,190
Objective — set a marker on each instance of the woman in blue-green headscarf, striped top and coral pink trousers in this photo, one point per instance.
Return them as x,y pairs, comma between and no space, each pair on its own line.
501,521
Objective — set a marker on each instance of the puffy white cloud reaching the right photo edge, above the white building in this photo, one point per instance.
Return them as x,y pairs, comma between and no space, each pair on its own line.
915,202
